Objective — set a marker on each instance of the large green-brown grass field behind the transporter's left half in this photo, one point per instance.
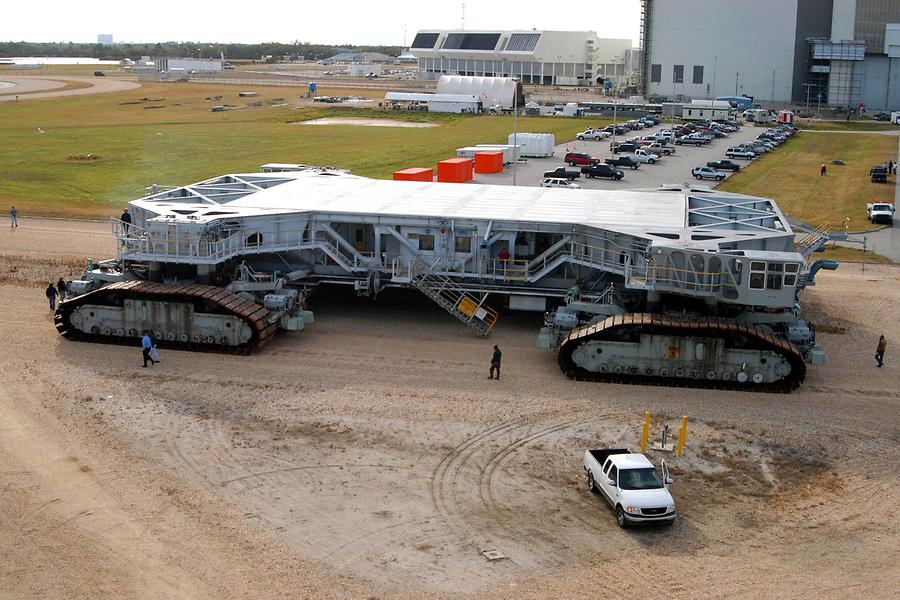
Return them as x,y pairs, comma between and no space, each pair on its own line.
171,138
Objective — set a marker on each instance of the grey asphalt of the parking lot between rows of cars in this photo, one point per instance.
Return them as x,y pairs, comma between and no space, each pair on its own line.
670,169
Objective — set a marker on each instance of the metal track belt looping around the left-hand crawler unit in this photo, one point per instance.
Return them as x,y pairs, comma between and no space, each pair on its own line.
260,319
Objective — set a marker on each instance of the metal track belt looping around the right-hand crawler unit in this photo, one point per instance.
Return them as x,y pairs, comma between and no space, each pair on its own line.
704,326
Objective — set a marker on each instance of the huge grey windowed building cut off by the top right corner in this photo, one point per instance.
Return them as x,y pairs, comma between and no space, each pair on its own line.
837,52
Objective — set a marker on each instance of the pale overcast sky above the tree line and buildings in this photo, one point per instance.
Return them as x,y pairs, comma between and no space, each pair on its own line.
361,22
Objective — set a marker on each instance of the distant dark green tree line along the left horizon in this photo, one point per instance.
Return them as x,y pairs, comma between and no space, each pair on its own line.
184,49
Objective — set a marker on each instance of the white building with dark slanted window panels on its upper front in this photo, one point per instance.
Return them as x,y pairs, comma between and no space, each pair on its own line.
535,57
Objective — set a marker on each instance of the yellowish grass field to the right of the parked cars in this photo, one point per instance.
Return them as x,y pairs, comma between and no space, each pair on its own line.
790,175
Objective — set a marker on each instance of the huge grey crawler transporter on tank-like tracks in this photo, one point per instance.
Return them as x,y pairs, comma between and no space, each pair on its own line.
674,286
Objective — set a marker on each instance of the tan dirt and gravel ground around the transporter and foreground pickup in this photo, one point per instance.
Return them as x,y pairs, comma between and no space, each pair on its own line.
370,457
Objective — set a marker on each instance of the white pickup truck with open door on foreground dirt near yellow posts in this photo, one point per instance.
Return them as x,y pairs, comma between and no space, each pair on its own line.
631,485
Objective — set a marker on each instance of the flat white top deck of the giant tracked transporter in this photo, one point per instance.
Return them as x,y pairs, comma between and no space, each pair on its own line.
690,216
